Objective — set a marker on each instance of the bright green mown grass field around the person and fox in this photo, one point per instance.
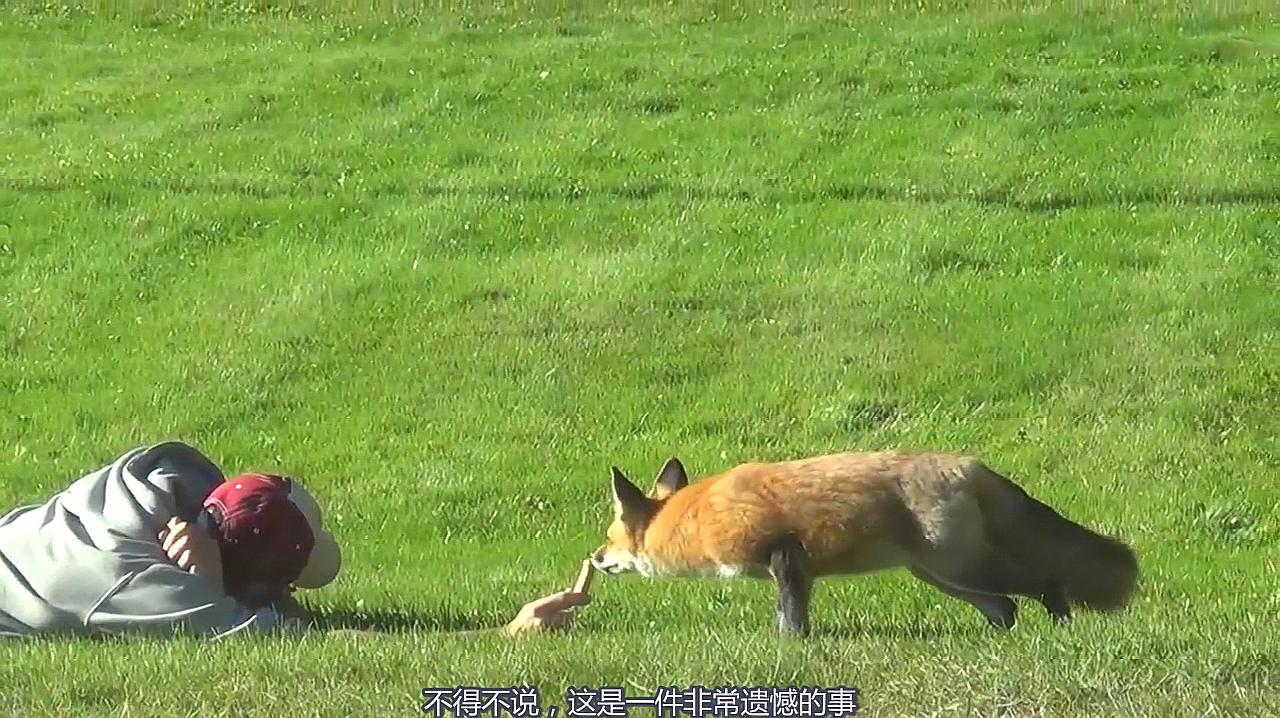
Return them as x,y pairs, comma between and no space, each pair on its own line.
451,266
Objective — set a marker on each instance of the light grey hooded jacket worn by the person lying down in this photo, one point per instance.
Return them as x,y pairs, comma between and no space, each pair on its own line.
89,561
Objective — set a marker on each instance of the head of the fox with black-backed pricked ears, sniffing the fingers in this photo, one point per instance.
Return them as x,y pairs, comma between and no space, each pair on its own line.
633,511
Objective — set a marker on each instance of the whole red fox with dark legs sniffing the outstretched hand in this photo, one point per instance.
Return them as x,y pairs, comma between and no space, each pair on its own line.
952,522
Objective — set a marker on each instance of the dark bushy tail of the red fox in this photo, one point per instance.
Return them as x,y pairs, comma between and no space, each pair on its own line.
1099,573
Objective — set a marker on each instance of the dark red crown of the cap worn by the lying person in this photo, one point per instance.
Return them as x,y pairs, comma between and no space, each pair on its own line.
266,537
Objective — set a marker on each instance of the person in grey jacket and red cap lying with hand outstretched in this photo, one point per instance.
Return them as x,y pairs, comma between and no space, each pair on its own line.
161,543
